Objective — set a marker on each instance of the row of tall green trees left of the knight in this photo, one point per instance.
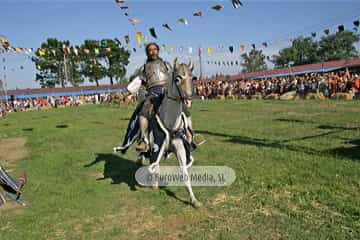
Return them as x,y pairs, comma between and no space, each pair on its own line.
59,63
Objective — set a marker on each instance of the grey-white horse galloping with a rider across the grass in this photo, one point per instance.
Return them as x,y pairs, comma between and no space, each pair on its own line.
176,126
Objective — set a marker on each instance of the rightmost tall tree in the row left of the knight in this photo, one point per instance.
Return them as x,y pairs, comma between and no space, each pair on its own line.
116,58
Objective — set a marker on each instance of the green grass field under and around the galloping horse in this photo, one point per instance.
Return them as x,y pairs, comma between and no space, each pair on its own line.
297,165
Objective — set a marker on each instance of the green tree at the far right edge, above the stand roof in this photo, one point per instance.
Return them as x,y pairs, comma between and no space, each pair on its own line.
338,46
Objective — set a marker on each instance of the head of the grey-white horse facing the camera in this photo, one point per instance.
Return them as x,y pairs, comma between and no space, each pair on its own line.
182,81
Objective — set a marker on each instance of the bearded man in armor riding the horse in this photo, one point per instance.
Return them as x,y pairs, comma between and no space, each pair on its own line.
154,75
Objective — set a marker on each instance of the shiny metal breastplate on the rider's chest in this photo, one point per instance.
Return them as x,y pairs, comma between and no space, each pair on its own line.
156,74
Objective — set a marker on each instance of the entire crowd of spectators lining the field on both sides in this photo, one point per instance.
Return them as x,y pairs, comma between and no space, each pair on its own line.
327,84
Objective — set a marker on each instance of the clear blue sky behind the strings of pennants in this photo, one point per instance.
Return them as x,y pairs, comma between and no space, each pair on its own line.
28,23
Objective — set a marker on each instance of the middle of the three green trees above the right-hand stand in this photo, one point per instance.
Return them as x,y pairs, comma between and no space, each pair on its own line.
303,51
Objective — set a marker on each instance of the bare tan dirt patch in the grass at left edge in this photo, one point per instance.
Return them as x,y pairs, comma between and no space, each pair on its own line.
12,150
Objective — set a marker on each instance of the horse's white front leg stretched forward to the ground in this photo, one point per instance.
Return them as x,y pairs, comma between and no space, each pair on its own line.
180,152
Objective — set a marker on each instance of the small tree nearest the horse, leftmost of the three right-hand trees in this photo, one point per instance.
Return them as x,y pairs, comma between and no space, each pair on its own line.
254,61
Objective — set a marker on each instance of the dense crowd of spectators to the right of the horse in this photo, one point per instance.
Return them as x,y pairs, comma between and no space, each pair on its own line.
327,84
